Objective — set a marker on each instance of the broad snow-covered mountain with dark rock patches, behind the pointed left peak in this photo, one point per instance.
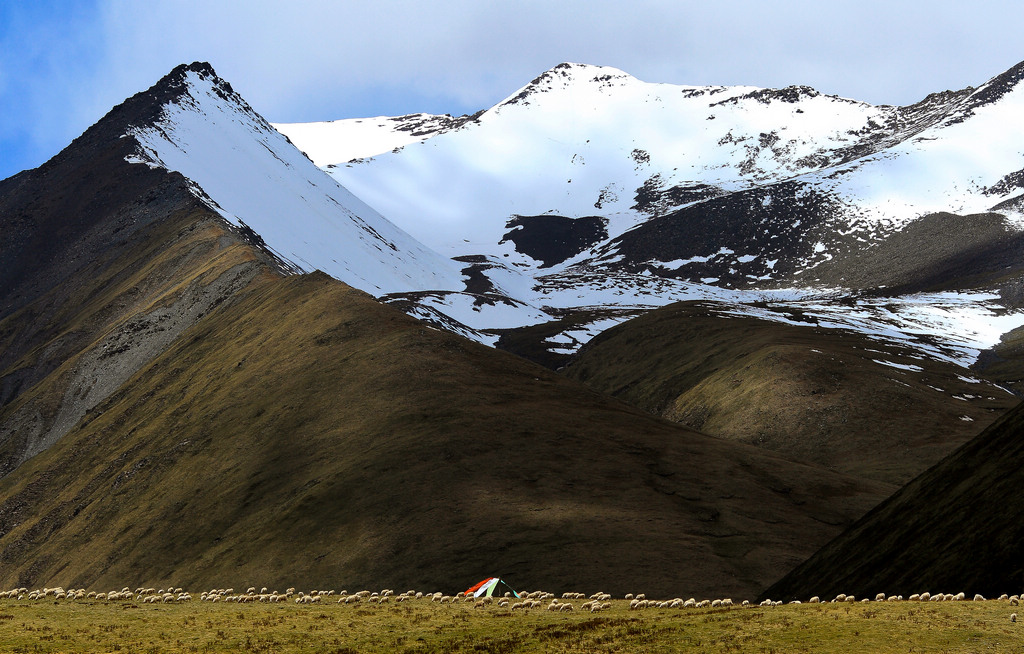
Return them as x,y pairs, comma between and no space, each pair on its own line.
590,189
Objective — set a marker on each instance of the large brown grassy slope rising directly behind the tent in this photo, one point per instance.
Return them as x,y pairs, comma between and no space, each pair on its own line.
309,435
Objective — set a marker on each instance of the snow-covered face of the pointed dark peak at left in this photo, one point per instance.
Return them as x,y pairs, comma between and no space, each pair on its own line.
254,178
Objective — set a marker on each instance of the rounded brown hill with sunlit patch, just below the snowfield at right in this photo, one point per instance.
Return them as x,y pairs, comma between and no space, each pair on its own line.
808,393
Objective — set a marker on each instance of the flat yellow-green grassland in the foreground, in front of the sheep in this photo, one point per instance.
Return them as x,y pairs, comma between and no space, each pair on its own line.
422,627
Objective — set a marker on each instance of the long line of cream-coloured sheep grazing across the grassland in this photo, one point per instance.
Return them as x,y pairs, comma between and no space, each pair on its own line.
596,602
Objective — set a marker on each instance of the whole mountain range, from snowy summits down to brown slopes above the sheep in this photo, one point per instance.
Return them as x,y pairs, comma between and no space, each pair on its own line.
205,375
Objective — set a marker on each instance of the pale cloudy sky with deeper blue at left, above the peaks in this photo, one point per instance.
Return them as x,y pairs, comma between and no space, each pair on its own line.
64,64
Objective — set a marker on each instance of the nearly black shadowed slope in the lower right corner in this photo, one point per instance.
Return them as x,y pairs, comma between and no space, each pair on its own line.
955,529
